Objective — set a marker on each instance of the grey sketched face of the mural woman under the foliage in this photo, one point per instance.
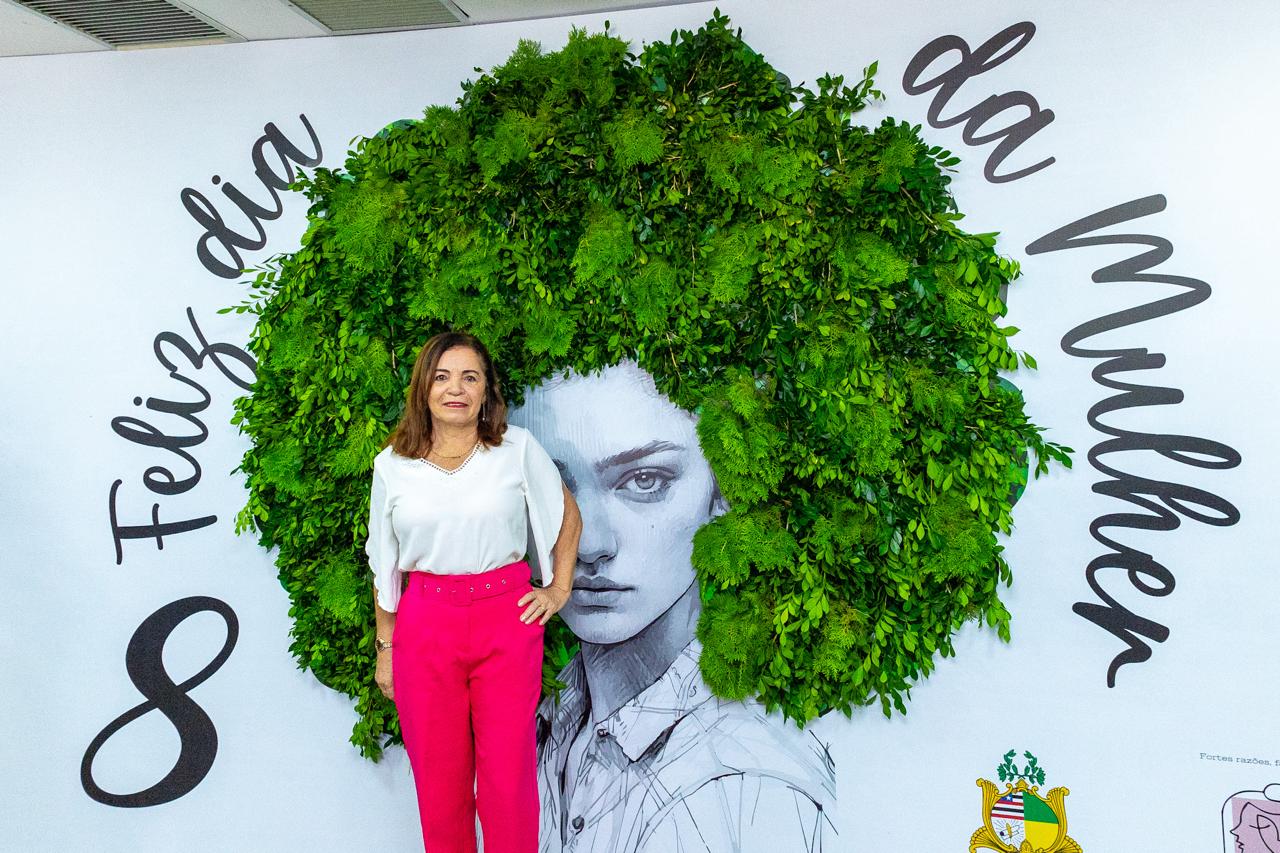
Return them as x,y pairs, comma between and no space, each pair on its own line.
633,463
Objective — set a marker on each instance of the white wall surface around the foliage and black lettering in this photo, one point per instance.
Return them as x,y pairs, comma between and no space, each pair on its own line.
1149,98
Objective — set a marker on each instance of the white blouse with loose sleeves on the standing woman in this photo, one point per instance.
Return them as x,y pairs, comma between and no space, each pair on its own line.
423,518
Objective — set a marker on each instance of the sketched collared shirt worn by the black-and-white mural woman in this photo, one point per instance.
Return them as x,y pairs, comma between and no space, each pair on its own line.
678,769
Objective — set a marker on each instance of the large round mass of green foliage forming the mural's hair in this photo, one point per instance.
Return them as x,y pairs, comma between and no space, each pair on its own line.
796,279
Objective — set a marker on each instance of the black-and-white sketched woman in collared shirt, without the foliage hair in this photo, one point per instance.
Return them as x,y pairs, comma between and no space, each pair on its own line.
638,756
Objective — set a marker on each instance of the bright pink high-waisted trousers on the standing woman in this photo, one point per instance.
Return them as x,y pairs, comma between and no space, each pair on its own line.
467,676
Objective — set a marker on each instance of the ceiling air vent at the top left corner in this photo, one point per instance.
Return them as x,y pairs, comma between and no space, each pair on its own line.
131,24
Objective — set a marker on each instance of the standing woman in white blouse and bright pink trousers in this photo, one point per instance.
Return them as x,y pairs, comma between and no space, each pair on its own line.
460,649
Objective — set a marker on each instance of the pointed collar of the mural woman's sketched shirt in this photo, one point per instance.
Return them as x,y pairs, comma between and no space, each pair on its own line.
638,724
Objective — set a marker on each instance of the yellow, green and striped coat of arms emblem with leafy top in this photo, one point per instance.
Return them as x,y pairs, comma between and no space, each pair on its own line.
1018,819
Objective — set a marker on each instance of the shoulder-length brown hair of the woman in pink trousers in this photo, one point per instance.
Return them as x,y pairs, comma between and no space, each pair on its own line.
413,435
